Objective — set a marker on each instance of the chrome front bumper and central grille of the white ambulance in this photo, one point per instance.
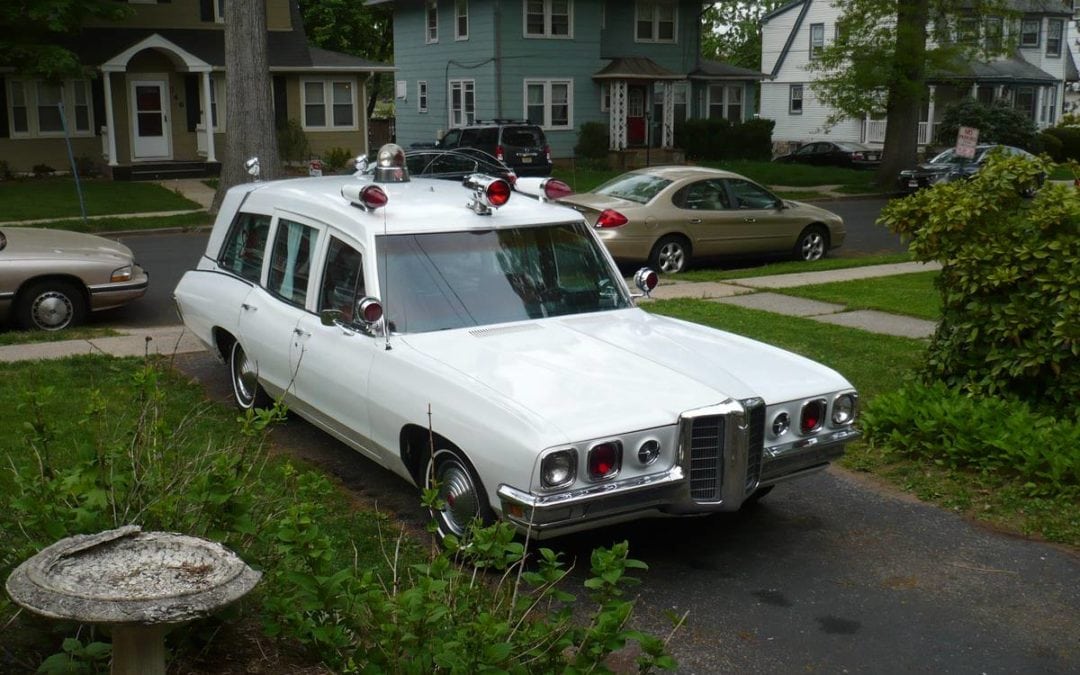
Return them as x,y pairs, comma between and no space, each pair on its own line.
698,483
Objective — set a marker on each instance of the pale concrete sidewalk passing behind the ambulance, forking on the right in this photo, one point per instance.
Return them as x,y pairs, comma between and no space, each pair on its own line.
742,292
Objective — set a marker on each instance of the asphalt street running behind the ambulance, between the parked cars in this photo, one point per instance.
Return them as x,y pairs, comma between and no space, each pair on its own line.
169,256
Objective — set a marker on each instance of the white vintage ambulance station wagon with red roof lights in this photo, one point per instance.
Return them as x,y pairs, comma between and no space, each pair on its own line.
471,337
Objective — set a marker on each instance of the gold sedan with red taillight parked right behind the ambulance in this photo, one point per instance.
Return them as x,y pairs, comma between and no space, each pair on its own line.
672,215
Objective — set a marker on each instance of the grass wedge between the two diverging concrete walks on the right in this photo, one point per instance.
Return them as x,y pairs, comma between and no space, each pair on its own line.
911,295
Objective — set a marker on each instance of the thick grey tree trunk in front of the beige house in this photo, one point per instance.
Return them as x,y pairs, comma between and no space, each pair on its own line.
250,124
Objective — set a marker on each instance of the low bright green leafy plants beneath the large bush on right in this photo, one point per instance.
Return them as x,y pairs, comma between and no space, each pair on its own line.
988,435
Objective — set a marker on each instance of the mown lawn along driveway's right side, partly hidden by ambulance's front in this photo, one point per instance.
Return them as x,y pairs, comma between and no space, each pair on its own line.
876,364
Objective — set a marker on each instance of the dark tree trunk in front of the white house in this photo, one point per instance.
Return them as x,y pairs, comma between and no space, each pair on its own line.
907,91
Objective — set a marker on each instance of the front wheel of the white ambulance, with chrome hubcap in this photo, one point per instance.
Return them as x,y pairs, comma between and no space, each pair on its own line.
462,496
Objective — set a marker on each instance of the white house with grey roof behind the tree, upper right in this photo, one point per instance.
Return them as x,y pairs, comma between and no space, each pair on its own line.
1031,79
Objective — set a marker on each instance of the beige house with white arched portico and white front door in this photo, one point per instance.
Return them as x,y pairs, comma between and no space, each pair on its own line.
153,103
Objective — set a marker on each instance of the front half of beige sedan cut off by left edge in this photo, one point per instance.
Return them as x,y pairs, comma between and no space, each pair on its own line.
51,279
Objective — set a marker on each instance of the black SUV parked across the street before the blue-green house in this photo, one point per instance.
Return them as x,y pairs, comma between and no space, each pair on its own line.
522,146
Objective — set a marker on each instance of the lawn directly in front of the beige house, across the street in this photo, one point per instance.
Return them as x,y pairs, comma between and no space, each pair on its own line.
57,198
